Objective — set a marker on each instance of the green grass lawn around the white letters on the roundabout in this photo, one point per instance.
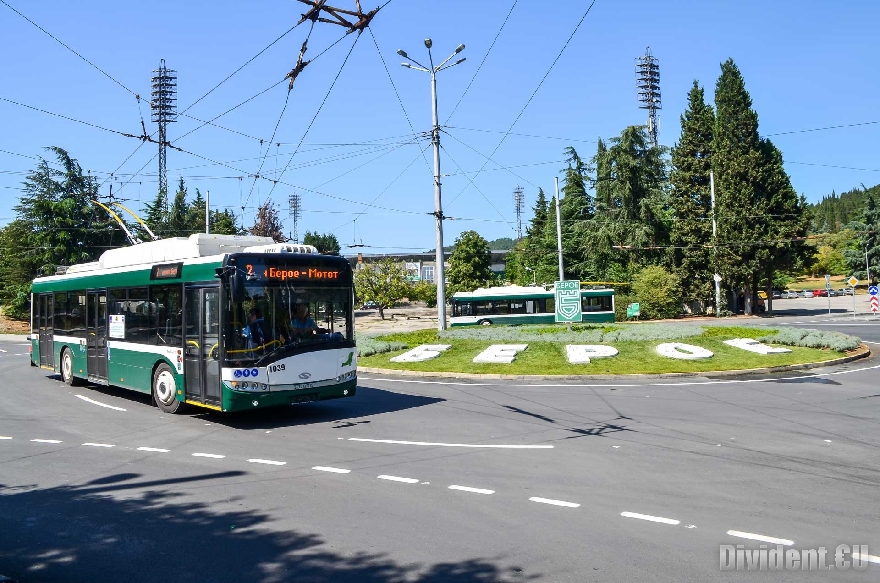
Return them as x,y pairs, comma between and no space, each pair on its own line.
548,358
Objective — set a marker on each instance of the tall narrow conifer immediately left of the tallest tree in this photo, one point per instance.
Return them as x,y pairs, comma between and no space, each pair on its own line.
690,199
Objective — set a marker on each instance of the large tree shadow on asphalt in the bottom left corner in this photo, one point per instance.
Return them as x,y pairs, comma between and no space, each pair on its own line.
120,529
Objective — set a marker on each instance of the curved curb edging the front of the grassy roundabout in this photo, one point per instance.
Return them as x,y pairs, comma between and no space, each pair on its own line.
863,351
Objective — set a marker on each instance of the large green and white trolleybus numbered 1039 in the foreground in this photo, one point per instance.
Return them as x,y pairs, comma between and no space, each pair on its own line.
218,321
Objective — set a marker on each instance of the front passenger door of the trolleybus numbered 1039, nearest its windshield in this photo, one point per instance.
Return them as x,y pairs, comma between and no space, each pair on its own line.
202,354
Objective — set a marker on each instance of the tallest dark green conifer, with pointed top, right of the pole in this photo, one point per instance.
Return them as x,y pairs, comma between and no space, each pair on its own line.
738,162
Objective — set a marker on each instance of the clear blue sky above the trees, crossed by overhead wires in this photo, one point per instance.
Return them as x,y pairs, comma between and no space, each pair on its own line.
807,64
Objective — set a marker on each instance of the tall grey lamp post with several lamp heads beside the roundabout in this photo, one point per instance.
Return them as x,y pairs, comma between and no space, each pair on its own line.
435,139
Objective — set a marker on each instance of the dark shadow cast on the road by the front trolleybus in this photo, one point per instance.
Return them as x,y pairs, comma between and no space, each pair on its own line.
348,411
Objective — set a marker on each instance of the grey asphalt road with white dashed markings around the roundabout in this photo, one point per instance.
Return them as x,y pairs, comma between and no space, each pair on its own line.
622,481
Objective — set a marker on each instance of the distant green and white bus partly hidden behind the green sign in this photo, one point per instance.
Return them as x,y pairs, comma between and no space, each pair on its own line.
524,305
